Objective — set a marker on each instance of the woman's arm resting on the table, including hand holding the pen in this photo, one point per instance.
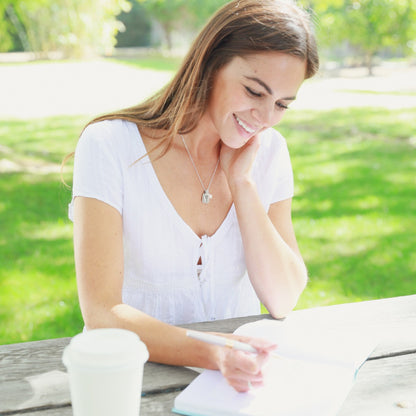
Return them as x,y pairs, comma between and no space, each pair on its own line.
98,246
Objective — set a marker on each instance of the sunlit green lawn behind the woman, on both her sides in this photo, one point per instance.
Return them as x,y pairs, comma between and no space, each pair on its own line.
354,214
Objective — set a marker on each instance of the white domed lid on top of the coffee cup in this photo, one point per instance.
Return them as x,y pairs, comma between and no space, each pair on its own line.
106,347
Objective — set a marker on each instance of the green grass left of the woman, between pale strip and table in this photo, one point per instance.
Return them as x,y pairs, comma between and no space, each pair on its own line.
37,278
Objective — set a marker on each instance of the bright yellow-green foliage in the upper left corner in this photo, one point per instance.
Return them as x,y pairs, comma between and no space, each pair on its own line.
74,27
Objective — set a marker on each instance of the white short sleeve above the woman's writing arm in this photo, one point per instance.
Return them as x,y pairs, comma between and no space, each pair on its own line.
97,169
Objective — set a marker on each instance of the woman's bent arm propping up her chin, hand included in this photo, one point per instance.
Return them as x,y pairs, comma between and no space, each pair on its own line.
274,263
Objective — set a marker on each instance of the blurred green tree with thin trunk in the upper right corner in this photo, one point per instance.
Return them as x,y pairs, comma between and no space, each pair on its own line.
370,26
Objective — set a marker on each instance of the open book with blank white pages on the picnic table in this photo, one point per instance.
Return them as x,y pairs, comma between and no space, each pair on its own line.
313,377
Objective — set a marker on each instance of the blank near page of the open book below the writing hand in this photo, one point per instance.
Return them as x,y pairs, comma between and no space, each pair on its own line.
291,388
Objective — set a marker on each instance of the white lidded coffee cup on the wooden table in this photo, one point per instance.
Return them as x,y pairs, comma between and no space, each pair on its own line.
105,368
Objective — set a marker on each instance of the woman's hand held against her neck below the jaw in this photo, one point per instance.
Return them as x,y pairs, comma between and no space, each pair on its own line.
237,163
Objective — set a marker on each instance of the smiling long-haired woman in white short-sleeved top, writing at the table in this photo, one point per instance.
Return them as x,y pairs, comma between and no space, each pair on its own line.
182,205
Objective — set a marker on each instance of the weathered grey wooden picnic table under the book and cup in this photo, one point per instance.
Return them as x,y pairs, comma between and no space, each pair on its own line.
33,380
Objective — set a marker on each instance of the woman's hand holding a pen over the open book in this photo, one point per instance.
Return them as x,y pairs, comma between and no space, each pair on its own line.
243,370
